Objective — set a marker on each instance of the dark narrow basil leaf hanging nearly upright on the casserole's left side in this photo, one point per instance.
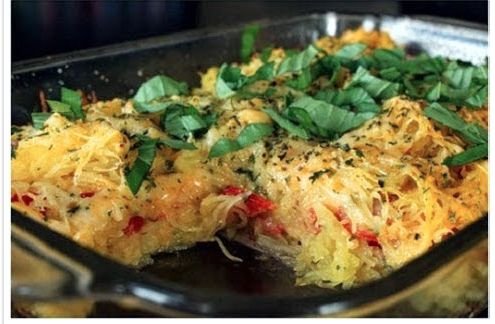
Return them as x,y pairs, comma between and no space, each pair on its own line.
142,165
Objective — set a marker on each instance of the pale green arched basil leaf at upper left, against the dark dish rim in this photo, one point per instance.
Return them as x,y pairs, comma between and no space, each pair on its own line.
160,86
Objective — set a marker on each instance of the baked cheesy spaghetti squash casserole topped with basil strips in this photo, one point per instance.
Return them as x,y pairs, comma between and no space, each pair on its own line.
345,159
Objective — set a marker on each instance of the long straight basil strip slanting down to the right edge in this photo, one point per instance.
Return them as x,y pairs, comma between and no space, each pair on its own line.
470,132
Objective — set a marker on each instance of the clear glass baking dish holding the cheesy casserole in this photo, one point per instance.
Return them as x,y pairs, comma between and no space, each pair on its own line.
449,280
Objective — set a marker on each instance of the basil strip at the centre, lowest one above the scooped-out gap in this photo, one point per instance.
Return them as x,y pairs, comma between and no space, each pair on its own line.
249,135
